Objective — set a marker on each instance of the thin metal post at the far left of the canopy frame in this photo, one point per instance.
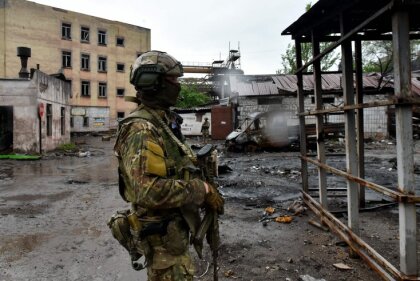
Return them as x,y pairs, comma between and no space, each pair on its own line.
301,104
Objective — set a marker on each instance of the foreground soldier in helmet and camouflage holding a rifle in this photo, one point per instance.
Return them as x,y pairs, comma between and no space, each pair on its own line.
157,171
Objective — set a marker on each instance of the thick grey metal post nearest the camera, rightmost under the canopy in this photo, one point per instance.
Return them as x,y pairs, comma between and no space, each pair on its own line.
404,134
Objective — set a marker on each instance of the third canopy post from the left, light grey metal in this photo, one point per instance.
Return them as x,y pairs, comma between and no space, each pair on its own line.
350,129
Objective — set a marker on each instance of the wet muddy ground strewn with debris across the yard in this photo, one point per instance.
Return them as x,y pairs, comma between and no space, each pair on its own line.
53,215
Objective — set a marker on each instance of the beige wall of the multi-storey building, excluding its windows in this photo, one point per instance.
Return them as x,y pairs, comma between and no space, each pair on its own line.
28,24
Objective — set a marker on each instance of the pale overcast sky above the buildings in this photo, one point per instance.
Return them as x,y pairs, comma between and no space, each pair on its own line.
201,31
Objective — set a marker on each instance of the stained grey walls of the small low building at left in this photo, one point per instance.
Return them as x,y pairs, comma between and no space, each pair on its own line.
24,96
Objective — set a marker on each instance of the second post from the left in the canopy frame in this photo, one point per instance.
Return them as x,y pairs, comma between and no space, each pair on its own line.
322,176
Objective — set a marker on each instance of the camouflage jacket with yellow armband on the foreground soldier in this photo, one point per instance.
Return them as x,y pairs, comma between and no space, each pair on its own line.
152,166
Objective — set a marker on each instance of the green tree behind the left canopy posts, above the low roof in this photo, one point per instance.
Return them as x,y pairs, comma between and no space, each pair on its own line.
289,57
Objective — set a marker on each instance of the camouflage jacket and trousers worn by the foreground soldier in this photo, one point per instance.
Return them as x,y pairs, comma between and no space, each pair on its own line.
156,181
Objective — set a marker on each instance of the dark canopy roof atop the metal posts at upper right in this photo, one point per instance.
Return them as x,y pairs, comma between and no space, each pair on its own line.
324,19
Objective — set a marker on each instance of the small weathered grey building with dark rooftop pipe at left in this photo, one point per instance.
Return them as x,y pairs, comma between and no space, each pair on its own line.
34,111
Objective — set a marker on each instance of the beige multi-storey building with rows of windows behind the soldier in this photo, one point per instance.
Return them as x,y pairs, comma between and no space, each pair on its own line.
94,54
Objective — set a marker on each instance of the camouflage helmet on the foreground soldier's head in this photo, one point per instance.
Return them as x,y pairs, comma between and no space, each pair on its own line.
148,69
